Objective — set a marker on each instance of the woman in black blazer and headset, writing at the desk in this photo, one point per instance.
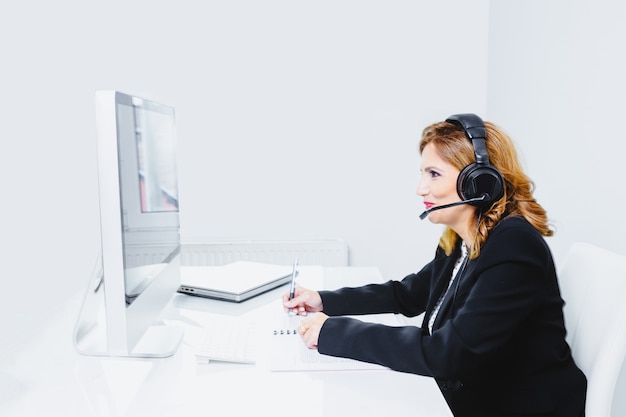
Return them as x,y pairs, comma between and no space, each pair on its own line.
493,334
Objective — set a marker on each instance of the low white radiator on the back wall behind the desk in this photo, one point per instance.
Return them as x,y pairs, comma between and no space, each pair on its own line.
309,252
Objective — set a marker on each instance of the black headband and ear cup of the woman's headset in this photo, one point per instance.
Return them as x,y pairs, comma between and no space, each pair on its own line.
480,180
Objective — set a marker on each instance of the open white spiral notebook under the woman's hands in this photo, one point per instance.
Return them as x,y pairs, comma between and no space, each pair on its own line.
289,353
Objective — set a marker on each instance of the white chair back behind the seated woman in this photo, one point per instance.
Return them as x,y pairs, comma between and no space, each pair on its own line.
593,285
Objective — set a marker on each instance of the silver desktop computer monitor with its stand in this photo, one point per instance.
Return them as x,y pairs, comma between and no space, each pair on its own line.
139,268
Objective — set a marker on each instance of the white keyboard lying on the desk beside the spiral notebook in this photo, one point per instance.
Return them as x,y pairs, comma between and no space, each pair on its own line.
228,340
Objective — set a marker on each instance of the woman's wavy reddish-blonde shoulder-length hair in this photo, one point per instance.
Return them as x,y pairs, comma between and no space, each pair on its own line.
455,148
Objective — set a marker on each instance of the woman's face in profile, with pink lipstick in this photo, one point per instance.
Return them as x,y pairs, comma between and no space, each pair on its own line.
437,187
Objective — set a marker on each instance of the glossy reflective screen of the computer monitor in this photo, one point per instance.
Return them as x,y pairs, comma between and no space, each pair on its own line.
148,183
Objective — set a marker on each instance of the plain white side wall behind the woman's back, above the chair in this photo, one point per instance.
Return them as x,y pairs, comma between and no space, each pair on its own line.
557,83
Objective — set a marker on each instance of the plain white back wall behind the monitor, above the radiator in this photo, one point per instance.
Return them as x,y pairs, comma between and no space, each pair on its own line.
295,120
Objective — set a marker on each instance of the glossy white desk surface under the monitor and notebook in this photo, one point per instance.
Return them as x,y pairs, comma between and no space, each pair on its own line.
47,377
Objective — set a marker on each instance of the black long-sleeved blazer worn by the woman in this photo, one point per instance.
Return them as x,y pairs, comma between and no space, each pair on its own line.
498,344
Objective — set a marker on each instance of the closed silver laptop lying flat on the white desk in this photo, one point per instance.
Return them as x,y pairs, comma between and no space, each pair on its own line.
236,281
